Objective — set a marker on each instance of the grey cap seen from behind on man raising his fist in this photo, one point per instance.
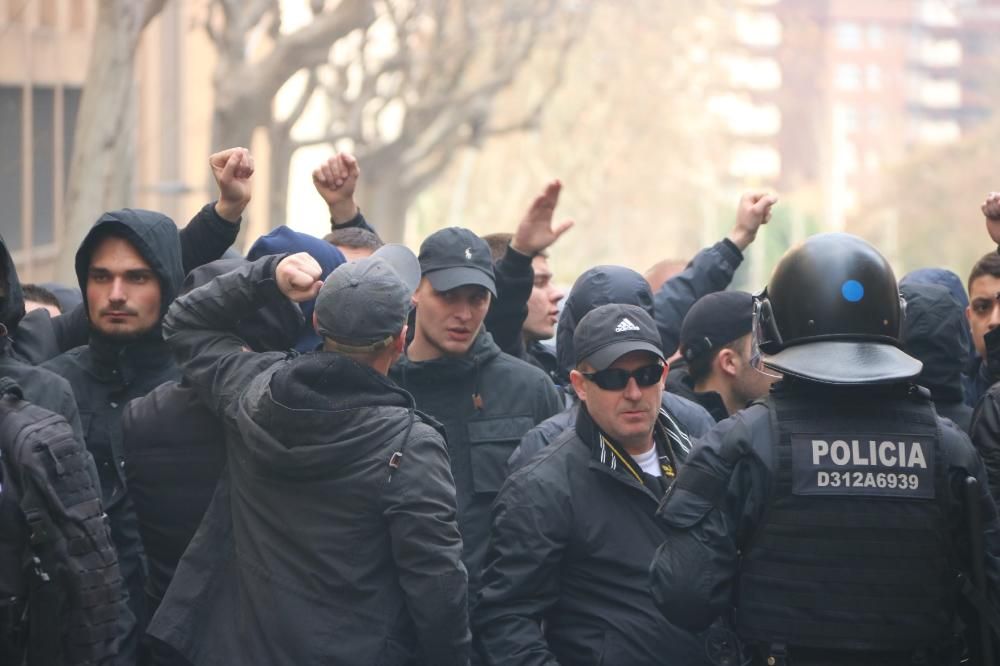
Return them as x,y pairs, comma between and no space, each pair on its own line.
364,304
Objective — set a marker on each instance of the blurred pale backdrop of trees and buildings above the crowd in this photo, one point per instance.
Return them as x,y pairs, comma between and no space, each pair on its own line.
870,116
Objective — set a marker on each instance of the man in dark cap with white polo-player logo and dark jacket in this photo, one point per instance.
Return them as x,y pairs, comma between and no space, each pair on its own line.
485,398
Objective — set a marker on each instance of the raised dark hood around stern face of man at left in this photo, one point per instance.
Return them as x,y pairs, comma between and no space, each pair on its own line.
154,236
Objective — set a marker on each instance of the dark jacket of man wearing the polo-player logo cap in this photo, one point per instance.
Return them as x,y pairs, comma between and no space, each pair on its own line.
481,435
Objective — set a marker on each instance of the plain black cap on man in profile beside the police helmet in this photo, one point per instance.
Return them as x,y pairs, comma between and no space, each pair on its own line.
715,320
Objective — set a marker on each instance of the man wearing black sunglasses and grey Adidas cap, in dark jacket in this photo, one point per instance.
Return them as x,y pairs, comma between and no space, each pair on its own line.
574,529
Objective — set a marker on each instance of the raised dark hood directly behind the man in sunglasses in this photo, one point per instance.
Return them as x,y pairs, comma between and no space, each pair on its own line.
597,286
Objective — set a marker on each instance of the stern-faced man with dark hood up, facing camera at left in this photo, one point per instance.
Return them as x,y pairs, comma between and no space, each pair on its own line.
129,270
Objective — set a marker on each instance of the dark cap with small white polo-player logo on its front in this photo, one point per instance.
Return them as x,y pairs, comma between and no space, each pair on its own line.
454,257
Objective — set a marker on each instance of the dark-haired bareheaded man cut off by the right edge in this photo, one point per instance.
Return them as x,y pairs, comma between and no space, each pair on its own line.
983,313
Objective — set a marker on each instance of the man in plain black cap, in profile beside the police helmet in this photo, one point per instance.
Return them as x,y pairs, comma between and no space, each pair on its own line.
715,345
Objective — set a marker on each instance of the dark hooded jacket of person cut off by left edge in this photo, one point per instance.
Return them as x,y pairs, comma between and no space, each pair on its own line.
39,386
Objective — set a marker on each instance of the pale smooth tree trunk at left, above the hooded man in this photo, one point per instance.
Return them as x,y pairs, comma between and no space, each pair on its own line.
101,166
